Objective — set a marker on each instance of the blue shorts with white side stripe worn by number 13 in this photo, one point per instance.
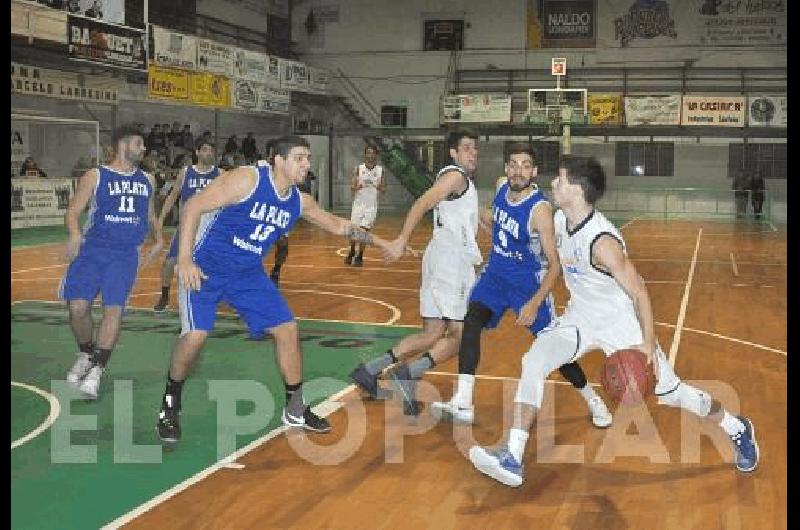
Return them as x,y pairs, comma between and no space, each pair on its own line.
251,294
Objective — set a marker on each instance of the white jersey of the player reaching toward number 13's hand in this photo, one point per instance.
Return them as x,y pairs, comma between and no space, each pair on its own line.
455,221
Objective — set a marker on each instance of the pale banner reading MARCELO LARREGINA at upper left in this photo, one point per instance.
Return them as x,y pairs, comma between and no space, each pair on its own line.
32,80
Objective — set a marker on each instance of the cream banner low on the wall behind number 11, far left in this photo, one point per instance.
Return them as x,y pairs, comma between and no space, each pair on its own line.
39,202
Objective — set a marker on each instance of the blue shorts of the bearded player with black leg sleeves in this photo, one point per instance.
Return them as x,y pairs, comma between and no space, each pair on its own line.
499,292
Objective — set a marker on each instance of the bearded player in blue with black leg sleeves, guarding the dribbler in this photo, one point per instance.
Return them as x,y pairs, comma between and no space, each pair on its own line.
521,271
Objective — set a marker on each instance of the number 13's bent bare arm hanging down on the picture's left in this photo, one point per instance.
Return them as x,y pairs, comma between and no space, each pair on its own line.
229,188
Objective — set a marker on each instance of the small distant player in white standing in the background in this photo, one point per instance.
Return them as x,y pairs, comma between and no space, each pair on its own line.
366,183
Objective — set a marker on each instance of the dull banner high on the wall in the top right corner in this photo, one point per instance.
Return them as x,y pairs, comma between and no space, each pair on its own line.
738,23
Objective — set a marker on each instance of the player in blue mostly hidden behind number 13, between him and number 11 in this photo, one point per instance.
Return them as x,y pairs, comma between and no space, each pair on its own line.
191,180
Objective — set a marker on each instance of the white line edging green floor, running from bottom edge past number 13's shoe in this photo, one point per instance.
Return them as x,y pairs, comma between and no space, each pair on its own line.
324,409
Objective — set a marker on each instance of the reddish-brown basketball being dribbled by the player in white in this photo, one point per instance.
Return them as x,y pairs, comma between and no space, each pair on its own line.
626,377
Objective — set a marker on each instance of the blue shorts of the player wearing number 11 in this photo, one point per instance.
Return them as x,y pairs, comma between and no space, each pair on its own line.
109,272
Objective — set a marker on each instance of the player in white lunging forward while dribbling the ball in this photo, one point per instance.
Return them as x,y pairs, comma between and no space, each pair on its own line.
609,308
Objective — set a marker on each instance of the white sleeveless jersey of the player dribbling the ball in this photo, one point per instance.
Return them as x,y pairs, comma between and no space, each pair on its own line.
594,294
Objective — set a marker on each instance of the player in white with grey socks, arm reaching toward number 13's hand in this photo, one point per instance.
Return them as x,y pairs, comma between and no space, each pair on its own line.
448,273
